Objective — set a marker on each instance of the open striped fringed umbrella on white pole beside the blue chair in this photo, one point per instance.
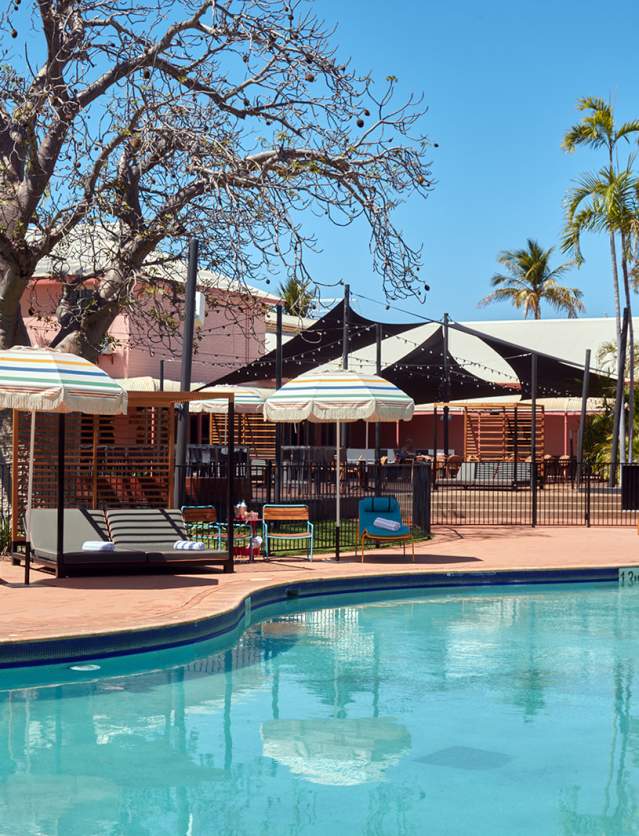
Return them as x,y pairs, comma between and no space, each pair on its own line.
342,396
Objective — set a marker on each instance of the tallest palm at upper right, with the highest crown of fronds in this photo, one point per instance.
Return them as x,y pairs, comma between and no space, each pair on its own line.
597,130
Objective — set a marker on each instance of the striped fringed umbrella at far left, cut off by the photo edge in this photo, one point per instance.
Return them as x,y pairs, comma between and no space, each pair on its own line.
43,380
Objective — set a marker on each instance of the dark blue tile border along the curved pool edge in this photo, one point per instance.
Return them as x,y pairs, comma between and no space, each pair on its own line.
79,648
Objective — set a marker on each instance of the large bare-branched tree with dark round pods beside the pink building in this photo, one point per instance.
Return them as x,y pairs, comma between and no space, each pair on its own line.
228,120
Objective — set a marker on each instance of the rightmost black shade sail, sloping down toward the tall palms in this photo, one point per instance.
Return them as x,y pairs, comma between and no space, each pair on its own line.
555,377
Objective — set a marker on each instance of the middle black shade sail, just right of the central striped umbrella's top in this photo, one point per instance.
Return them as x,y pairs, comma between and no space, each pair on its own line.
421,374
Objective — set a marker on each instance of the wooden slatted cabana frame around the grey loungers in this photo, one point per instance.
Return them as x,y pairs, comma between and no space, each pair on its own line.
112,461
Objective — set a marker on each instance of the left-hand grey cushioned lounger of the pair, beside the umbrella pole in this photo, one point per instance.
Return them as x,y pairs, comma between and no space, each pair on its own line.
80,526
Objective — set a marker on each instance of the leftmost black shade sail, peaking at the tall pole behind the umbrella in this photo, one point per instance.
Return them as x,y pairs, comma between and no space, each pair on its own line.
319,344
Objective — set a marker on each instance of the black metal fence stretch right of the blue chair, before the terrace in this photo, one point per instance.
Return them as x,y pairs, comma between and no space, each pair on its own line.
562,493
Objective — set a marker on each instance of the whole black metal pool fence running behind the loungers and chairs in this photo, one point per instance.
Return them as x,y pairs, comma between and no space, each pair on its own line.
496,493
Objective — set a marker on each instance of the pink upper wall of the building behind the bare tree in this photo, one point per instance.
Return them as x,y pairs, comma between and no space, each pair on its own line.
227,341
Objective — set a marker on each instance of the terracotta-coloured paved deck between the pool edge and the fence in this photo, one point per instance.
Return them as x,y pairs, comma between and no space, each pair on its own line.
83,606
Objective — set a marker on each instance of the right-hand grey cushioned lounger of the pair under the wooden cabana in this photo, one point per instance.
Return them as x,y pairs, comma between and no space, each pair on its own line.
156,530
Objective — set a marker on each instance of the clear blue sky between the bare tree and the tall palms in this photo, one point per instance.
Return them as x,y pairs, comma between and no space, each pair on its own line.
501,80
